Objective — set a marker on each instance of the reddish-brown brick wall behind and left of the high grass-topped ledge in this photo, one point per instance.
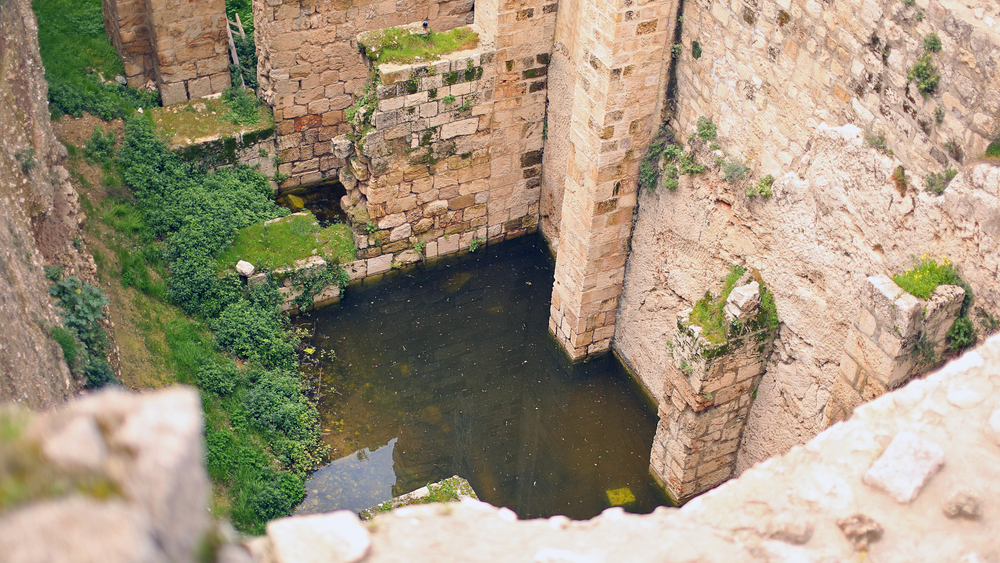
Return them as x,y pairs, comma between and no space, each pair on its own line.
309,67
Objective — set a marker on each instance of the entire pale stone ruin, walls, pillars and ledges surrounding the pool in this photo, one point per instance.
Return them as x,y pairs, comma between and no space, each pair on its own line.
799,139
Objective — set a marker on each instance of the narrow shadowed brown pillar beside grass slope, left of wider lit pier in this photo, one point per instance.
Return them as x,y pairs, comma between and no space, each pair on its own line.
128,30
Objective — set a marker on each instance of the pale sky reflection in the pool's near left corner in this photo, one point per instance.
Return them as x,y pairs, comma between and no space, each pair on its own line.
354,482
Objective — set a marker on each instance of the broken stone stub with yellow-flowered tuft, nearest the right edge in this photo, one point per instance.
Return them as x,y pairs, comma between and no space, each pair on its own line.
881,350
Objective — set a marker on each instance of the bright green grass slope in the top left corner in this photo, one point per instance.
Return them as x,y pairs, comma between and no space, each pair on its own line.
76,52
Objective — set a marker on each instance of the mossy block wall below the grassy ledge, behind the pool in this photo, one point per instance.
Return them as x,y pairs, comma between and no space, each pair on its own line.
453,156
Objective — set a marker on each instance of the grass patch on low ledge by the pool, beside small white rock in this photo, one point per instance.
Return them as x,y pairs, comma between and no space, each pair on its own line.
280,244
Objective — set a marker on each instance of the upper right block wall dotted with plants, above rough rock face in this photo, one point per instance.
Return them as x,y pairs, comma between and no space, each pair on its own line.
770,72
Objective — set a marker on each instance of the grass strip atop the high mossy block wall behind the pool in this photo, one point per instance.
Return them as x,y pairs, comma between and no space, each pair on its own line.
402,46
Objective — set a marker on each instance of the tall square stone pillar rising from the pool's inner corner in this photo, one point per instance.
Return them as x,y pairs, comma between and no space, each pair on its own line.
616,55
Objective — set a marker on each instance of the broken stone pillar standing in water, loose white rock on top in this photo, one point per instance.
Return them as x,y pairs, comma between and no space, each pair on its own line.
708,392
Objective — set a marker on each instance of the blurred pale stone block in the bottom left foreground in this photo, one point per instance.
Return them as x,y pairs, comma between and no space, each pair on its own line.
136,466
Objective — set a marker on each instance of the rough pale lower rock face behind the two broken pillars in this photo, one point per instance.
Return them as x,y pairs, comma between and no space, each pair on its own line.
815,243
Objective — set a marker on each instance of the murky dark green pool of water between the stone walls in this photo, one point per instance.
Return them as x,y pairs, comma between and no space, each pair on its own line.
451,371
